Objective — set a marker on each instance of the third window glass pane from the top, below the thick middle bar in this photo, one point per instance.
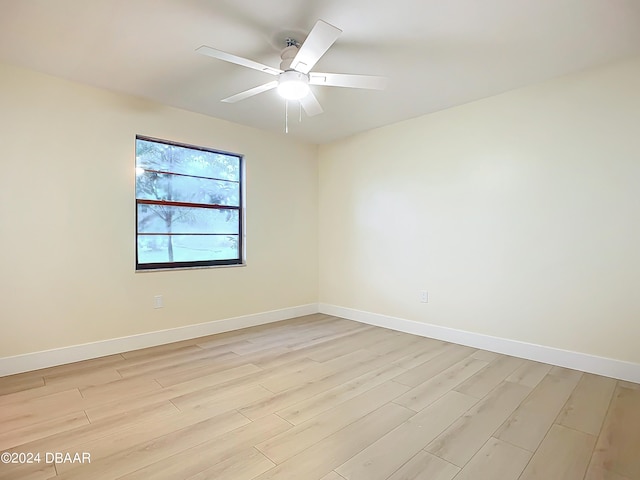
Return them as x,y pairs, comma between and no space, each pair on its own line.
166,219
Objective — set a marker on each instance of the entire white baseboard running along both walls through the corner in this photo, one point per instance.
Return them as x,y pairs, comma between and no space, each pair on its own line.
579,361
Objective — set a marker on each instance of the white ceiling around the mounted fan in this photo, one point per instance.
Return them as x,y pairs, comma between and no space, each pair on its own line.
436,53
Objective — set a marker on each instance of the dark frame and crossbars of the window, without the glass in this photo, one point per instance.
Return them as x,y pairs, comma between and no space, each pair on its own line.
195,264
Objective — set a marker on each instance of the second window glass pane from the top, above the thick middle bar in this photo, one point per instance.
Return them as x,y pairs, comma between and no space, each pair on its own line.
158,186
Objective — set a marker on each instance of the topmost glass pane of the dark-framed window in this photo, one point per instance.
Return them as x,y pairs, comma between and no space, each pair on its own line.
189,161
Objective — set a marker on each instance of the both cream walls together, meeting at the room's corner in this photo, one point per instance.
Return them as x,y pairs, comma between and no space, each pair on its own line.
520,214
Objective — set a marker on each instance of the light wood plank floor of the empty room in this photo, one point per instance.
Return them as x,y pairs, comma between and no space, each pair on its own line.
320,398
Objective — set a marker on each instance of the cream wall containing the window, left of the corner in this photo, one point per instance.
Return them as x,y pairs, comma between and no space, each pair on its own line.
67,222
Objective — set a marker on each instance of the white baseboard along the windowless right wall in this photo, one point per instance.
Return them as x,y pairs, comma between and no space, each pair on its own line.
564,358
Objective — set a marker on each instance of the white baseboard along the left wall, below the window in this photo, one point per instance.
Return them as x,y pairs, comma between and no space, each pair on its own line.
76,353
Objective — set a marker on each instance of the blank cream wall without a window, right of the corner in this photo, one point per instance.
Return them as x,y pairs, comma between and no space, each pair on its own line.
520,214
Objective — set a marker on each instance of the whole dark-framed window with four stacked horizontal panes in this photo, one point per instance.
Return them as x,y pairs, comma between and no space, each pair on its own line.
188,206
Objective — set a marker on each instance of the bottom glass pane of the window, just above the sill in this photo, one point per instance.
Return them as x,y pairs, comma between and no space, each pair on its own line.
187,248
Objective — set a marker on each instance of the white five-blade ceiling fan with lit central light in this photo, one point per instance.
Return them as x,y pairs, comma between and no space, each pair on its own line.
294,74
